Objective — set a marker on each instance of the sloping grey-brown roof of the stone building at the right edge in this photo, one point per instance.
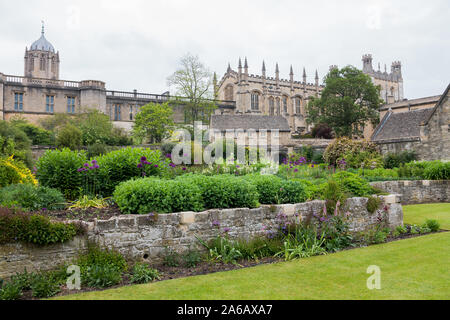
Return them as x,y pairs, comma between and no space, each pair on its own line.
401,125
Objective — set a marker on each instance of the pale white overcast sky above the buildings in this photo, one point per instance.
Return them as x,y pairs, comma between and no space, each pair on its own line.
136,44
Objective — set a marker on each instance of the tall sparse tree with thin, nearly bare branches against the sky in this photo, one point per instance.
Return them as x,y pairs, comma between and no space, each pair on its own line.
194,82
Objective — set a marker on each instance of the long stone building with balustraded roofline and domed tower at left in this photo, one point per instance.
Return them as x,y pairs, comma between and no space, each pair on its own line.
41,93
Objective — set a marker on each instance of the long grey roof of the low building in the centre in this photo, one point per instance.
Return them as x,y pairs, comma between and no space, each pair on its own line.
245,122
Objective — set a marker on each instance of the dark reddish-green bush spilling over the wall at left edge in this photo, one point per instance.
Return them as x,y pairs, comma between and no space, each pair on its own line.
34,229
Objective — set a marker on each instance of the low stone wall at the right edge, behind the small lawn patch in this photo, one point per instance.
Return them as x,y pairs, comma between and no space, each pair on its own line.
418,191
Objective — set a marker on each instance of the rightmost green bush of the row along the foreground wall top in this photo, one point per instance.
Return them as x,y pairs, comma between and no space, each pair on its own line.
274,190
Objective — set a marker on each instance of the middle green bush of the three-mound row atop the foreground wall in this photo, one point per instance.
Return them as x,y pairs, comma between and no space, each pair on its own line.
224,191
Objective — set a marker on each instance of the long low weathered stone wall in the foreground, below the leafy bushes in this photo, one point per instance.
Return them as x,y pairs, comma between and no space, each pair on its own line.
145,237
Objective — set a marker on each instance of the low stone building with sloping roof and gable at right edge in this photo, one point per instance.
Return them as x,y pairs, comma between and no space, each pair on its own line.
424,130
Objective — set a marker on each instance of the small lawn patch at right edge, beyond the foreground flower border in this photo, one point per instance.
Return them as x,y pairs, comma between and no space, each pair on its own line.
418,214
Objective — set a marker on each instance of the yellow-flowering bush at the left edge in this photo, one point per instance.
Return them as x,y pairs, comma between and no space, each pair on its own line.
14,172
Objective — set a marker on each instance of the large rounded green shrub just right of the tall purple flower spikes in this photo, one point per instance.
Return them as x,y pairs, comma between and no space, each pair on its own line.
122,165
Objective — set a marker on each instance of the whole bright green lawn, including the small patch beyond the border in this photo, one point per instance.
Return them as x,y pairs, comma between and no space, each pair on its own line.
411,269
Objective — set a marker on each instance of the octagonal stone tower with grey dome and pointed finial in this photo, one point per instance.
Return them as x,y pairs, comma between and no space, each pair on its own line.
41,61
